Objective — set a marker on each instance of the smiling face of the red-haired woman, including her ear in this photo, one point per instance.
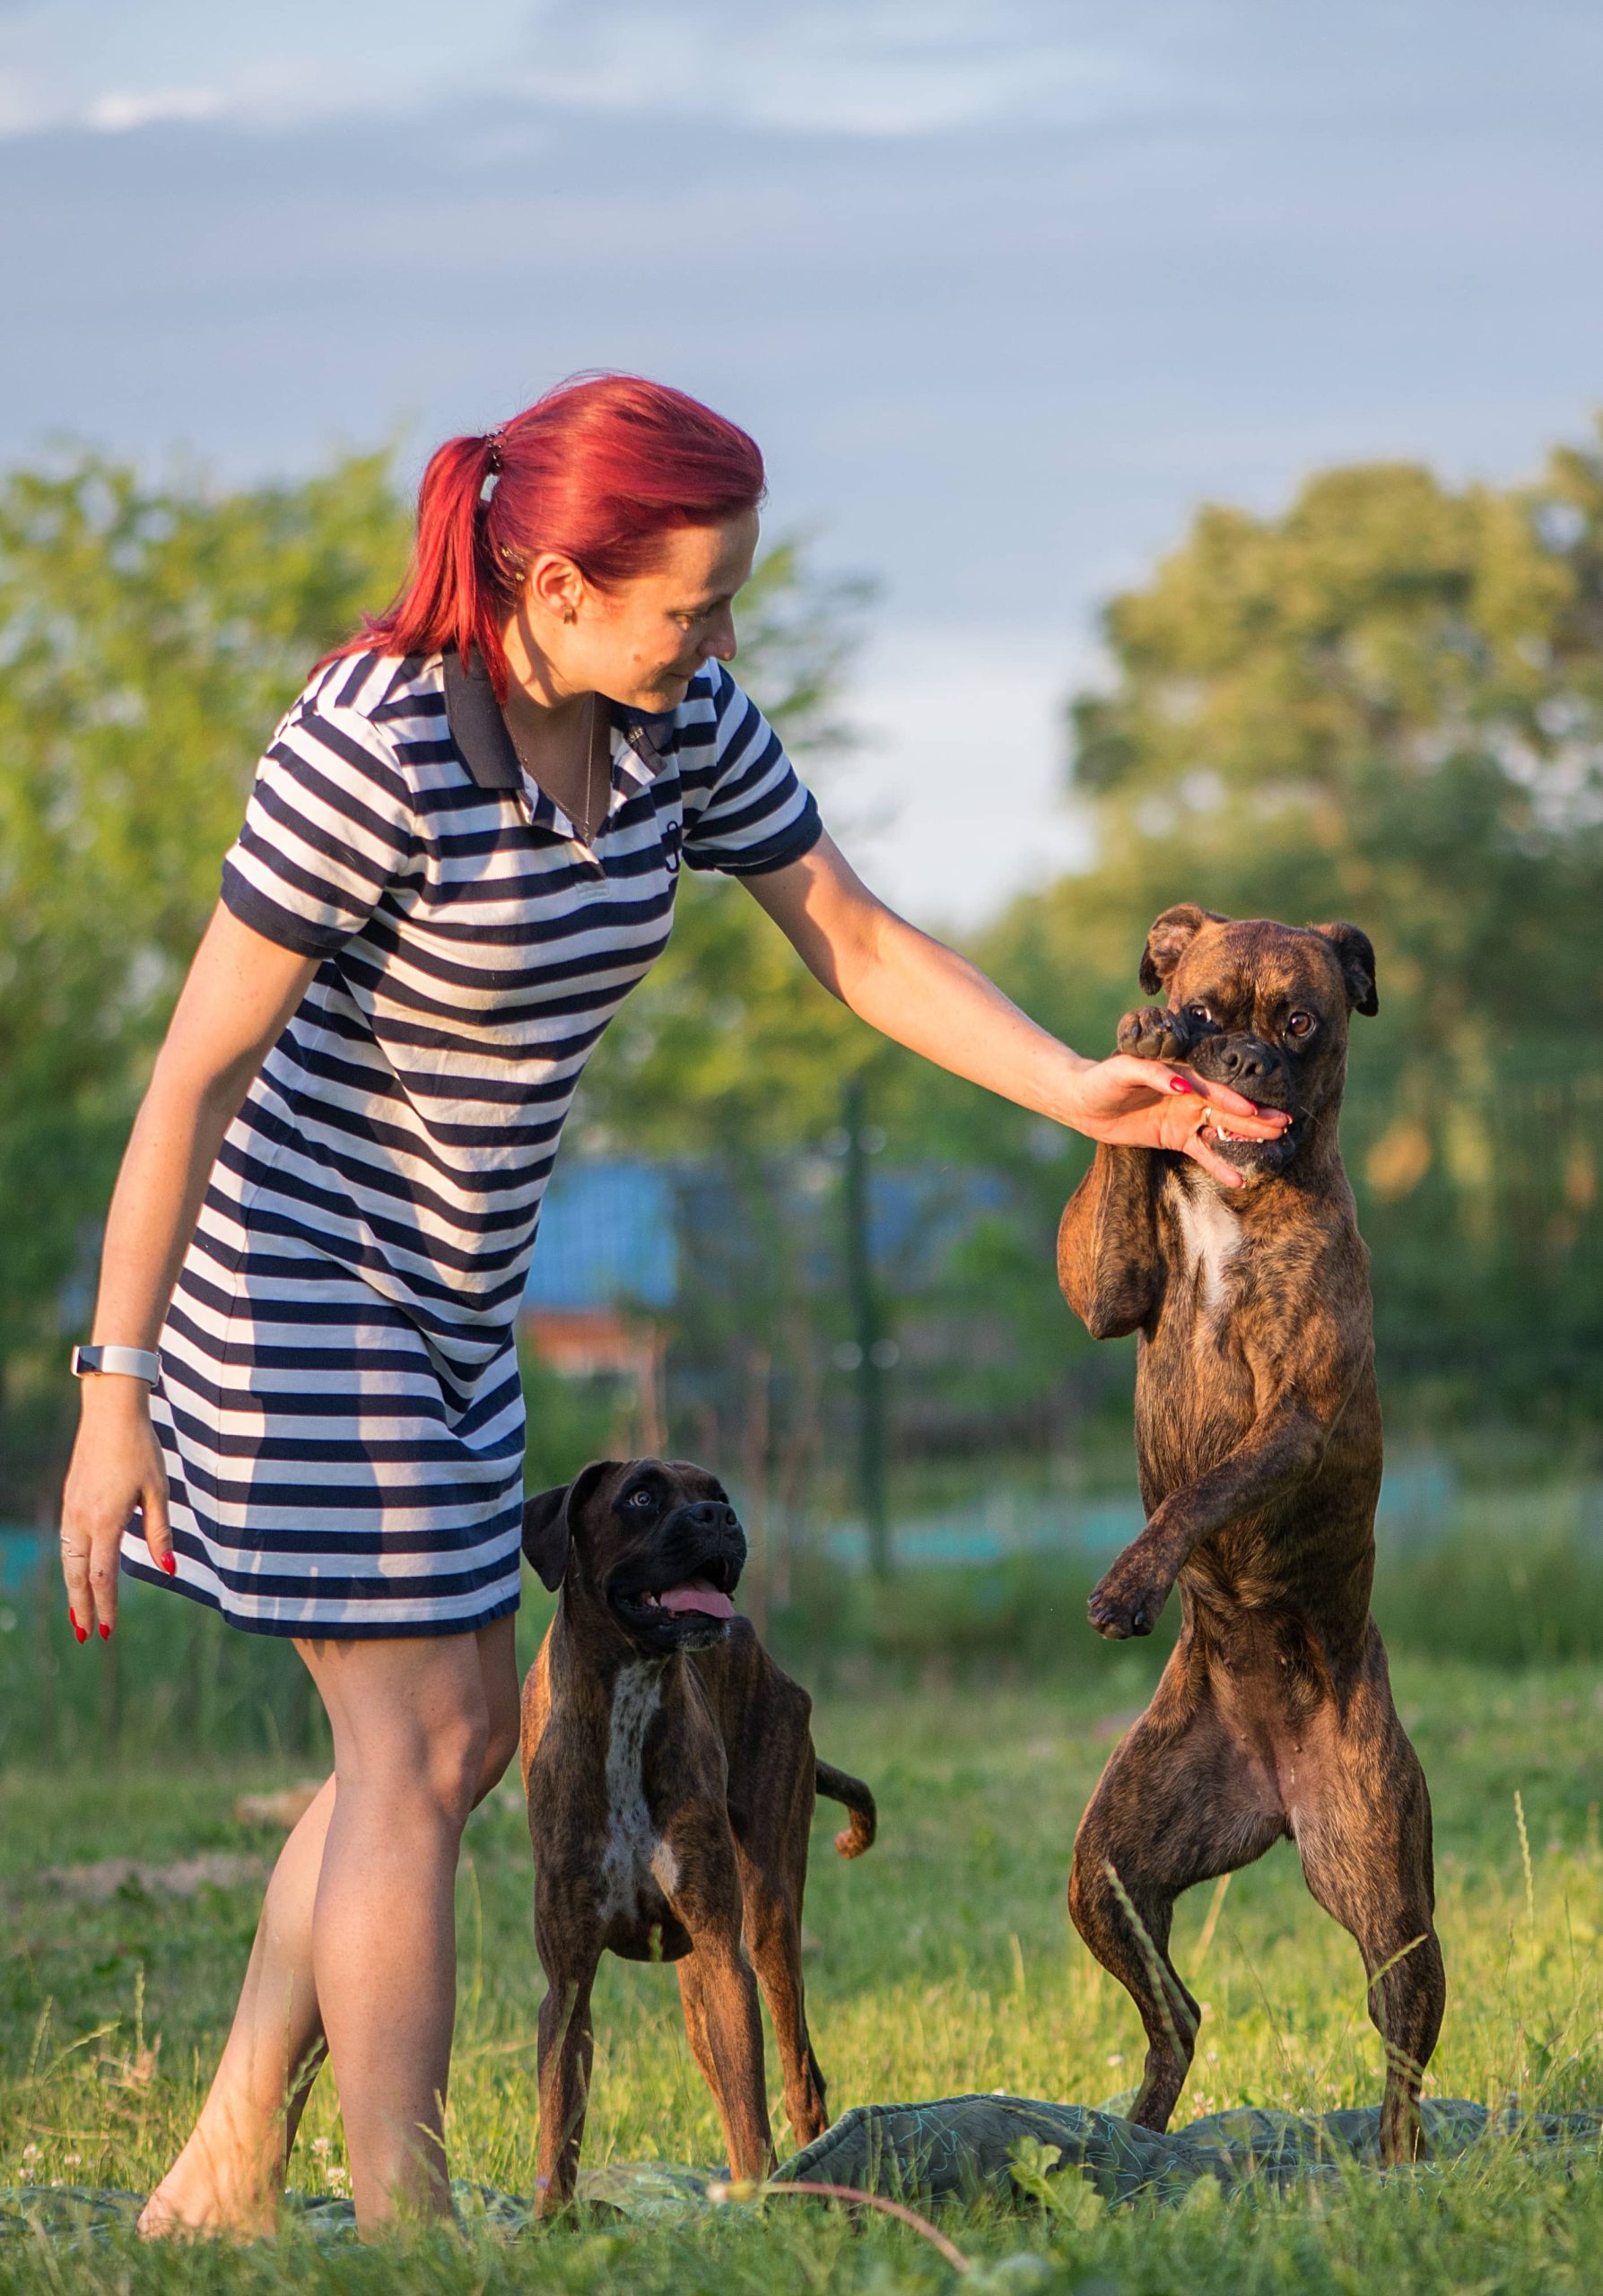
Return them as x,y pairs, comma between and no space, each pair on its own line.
642,642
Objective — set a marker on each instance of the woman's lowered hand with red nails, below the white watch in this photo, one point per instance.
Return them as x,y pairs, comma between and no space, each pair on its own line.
116,1468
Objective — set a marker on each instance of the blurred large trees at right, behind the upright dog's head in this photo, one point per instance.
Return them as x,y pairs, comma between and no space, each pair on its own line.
1388,706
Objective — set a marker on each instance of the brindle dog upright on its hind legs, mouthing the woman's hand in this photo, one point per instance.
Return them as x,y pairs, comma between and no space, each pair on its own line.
1260,1459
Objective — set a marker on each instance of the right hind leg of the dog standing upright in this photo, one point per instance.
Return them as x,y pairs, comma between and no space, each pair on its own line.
1363,1826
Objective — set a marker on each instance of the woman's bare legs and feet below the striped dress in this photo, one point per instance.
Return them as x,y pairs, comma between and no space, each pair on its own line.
359,1911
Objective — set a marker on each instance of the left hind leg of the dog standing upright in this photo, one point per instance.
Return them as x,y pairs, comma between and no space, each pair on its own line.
1179,1804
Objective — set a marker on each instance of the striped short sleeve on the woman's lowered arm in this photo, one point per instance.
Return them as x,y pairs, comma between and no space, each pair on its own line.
327,828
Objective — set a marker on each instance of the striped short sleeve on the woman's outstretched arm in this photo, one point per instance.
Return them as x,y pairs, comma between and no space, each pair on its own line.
745,809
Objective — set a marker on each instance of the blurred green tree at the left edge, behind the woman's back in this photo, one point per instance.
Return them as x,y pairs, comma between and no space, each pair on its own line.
148,642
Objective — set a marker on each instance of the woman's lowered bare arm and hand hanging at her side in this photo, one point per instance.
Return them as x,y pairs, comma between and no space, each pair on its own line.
240,993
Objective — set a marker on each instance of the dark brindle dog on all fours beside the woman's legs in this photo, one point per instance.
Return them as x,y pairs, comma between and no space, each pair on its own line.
669,1774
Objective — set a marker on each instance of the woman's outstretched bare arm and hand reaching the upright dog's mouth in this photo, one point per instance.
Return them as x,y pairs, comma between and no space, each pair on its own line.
931,1000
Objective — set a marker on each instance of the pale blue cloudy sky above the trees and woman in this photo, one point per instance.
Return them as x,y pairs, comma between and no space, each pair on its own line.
1005,288
